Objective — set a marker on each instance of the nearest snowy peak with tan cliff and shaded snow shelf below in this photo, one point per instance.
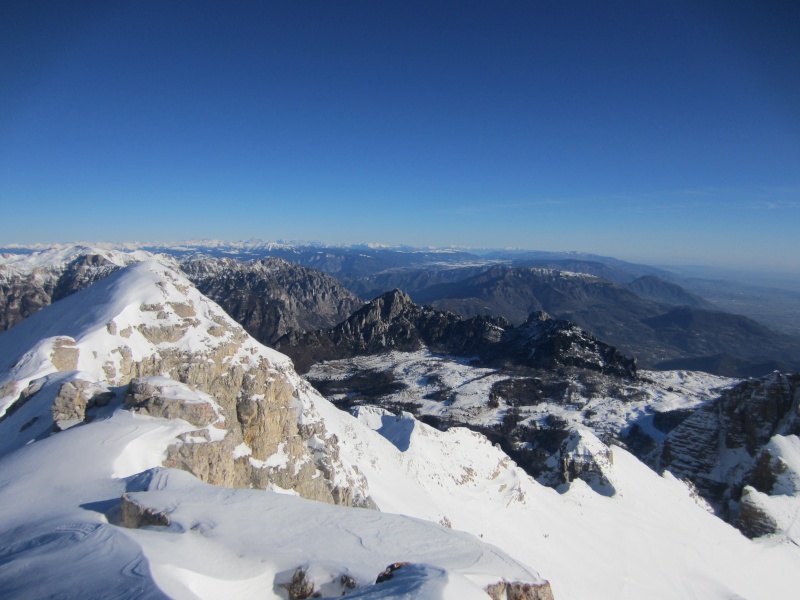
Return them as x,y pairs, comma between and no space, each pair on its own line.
140,372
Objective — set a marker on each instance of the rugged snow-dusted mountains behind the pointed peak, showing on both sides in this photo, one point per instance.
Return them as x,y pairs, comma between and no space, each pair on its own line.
268,297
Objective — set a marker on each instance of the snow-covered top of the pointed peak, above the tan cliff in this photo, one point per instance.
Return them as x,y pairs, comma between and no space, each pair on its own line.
144,308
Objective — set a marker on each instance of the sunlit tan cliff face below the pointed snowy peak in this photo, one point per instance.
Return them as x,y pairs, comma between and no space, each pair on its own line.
250,435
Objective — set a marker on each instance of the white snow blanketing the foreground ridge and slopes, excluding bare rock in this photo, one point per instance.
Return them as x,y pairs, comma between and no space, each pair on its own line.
60,537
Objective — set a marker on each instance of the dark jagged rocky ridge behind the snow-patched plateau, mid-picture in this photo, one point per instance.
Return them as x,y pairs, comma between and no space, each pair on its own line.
393,322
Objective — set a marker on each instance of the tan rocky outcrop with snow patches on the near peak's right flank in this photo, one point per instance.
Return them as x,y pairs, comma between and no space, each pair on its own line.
250,435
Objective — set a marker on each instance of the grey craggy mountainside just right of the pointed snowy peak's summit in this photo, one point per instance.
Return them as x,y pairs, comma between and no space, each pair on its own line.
271,297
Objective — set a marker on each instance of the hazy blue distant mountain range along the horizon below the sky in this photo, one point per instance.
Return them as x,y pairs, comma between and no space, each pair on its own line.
630,306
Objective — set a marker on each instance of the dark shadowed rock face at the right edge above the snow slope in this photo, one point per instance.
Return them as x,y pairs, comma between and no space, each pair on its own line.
723,446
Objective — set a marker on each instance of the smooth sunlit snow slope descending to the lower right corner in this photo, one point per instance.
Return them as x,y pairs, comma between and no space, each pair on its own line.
651,539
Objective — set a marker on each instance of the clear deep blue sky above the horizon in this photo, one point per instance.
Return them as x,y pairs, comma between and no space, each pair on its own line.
648,130
